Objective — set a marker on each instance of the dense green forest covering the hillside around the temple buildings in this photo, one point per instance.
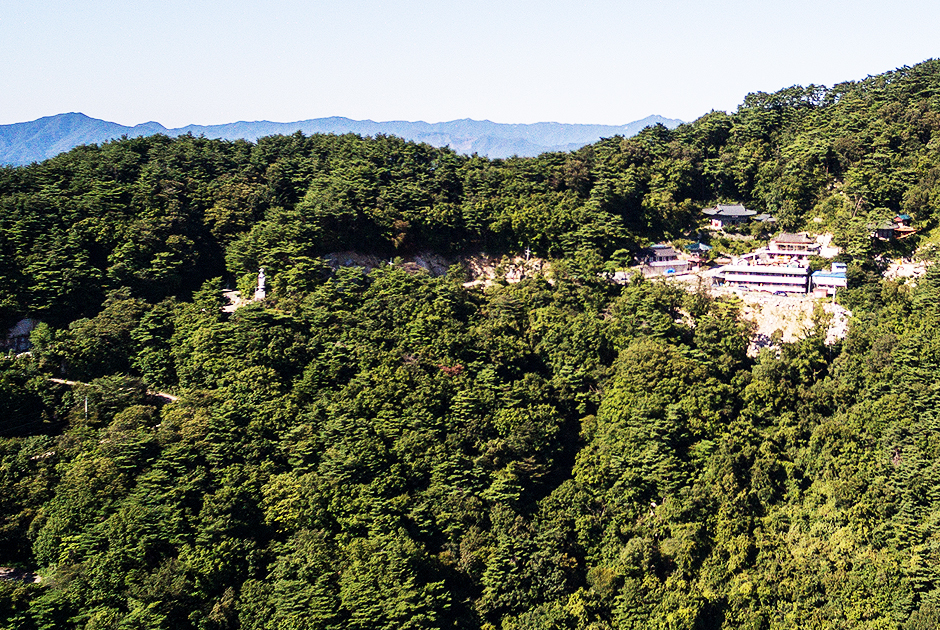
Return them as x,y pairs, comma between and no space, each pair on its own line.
390,449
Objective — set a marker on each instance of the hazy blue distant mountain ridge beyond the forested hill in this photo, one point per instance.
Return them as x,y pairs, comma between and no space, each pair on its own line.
22,143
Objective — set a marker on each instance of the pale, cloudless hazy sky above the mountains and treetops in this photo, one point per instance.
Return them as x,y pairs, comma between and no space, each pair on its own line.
206,62
